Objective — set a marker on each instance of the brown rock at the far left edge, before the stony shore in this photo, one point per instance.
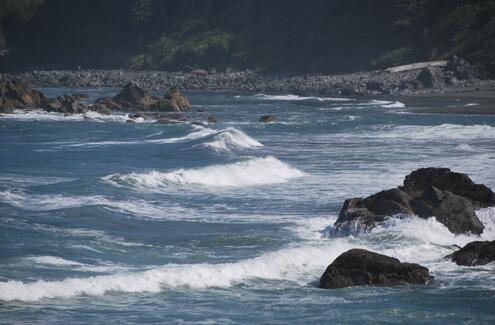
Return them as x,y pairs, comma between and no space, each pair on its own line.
16,95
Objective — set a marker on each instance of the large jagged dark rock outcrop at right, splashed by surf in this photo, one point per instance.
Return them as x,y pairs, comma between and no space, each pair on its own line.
428,192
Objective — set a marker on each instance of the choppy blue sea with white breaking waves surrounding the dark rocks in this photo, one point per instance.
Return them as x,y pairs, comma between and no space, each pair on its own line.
106,221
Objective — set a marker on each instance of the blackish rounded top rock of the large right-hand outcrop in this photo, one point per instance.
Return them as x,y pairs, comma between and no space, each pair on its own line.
445,179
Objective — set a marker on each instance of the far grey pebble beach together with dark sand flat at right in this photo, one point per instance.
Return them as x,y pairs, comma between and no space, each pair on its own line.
471,96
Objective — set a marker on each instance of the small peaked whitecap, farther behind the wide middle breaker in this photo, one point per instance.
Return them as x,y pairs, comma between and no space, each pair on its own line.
231,137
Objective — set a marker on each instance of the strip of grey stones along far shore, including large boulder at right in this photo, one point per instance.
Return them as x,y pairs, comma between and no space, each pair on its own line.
455,76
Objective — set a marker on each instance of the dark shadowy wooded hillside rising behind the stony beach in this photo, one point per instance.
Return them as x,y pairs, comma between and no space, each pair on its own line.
271,35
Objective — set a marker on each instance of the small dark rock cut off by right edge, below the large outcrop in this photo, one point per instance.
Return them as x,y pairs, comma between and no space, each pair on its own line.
475,253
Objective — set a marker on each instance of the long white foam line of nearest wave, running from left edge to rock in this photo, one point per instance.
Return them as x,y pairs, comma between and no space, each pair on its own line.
294,265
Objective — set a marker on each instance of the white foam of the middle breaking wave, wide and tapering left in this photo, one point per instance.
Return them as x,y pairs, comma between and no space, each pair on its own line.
255,171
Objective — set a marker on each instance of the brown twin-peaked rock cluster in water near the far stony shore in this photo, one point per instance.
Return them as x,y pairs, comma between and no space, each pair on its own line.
134,98
